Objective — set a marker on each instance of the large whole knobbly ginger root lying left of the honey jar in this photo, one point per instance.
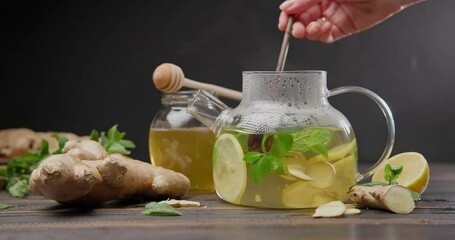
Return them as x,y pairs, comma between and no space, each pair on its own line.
72,178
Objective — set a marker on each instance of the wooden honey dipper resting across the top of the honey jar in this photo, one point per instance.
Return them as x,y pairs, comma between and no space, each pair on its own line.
169,77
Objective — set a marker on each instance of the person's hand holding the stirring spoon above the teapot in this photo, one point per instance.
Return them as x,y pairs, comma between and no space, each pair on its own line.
330,20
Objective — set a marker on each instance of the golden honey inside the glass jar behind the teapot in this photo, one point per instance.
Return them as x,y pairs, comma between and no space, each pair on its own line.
188,151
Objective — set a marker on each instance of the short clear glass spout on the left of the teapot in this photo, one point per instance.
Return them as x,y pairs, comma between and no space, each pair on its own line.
208,109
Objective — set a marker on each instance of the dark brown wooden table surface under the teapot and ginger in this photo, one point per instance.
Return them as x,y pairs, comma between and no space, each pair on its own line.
38,218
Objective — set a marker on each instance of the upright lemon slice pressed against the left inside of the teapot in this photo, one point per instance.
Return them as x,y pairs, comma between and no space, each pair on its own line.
229,169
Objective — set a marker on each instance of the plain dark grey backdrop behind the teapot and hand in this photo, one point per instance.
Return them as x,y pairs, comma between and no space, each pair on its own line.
78,65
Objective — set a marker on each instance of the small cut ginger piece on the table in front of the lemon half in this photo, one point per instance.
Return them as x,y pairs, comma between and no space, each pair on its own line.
395,198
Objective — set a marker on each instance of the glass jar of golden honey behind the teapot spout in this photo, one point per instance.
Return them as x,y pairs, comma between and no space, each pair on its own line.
179,142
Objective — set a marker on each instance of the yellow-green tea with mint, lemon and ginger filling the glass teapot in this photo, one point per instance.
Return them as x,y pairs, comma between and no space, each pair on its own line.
288,169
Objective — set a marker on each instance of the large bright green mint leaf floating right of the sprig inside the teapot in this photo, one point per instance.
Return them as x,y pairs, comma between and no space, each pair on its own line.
313,139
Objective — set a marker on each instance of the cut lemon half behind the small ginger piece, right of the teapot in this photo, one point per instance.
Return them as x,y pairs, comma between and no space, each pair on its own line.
416,172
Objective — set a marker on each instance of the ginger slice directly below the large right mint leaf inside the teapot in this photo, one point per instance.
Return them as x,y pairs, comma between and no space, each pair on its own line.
322,174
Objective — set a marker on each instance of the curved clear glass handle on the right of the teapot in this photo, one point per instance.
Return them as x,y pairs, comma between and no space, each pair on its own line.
389,119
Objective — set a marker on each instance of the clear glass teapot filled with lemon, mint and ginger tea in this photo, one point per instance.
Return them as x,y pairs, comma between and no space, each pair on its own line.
284,146
